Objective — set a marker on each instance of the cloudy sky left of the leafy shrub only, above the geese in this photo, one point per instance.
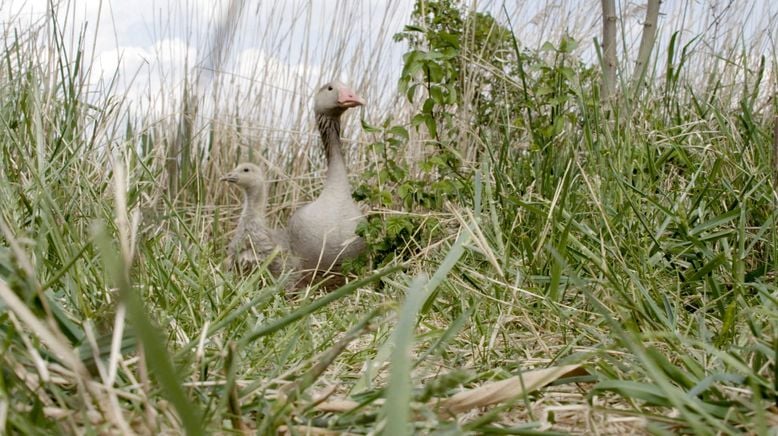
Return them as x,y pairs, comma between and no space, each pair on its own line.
280,44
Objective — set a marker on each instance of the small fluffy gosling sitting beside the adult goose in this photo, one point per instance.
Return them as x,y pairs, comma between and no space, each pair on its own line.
254,242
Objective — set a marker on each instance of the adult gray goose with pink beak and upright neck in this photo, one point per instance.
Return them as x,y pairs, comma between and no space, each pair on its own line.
322,233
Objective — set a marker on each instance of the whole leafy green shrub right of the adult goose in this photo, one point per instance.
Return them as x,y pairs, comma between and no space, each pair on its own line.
451,48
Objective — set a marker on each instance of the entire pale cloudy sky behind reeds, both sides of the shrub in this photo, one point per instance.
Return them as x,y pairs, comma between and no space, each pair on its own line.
282,49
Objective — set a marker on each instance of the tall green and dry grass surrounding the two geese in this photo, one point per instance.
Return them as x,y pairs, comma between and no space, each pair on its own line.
638,242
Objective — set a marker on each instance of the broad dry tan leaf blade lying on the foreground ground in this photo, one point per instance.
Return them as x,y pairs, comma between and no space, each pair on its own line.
504,390
